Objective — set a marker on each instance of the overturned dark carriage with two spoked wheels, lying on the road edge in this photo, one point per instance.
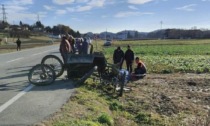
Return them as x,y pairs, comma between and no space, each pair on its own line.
78,66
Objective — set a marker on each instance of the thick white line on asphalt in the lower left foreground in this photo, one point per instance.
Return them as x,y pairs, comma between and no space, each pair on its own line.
8,103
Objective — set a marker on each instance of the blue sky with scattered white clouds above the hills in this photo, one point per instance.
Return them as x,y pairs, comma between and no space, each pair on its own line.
110,15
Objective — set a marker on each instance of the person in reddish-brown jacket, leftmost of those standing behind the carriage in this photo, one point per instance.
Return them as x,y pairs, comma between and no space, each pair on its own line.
65,48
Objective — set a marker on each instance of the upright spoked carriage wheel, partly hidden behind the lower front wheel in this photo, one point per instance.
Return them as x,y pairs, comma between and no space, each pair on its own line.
55,63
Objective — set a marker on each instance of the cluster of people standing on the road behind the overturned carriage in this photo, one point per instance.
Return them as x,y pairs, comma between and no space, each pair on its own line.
69,44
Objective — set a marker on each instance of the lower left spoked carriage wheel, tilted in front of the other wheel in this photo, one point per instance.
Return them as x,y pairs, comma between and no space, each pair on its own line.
41,74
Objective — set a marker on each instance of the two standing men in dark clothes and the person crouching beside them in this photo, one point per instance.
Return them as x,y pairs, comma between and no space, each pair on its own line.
119,56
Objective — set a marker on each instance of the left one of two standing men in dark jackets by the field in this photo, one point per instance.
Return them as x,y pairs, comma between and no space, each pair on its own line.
118,56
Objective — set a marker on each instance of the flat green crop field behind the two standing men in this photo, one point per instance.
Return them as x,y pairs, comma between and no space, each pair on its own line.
168,56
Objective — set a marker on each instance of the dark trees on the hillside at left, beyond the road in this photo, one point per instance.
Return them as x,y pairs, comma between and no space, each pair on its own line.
25,30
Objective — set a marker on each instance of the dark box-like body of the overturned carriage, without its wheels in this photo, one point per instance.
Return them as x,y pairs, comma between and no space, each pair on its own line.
79,64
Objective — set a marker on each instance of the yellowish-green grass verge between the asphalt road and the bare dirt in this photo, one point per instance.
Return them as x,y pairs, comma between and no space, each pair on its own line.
90,107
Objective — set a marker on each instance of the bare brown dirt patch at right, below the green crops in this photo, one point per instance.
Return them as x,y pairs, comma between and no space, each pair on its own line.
171,95
